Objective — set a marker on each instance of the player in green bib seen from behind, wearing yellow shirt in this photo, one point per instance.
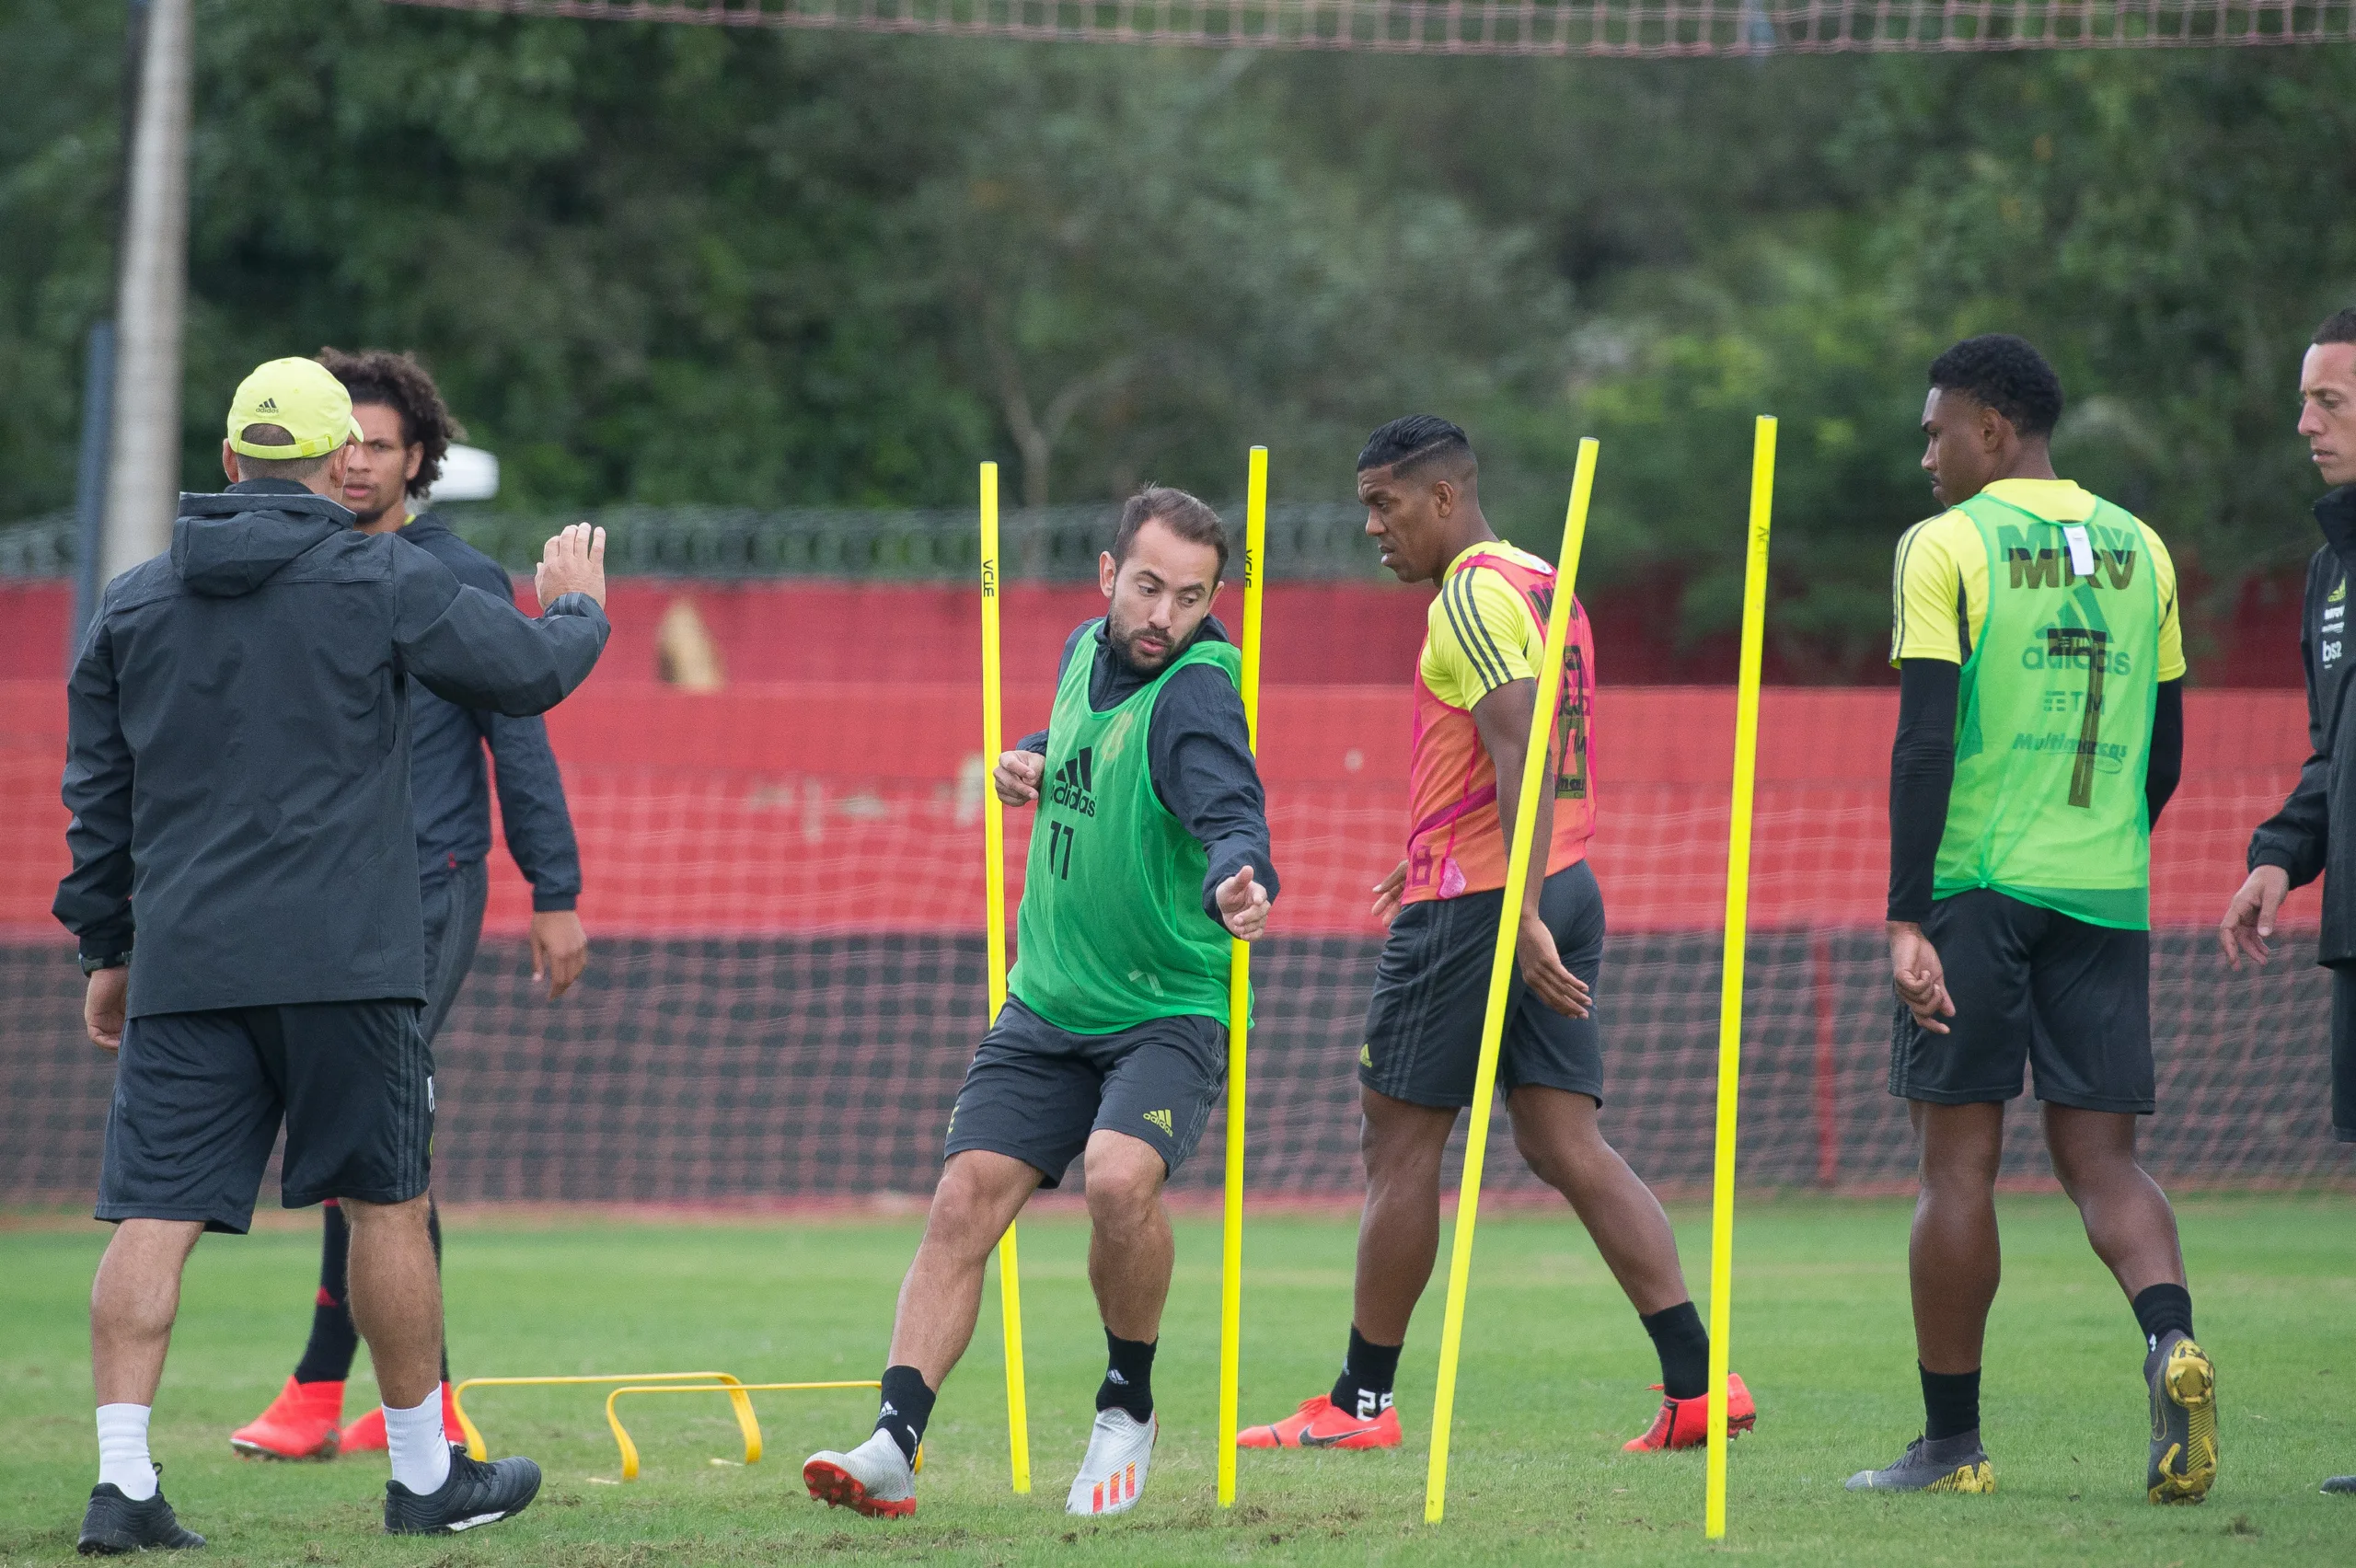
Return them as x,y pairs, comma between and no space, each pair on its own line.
2041,731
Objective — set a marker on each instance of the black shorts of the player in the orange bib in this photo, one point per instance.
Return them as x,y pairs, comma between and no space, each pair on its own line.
1431,999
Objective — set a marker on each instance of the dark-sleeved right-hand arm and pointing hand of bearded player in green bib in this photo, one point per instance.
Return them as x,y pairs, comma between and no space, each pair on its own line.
1200,757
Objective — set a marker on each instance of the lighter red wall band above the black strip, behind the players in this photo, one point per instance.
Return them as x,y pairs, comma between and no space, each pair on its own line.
856,806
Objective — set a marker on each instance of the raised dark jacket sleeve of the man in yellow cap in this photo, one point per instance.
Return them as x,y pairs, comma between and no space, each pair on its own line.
479,653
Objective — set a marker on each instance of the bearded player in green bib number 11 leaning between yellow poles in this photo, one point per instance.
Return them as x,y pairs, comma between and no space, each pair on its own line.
1146,861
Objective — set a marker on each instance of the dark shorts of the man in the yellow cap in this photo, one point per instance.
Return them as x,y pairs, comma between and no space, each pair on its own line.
199,1098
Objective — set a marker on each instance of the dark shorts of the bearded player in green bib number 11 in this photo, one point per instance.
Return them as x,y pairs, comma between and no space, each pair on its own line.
1035,1091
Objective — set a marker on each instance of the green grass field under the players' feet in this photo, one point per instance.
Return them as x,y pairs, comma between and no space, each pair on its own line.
1554,1378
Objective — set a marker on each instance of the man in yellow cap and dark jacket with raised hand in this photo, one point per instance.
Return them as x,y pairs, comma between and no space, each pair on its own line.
246,901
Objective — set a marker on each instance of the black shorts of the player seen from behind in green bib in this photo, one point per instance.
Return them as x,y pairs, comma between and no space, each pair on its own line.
2032,988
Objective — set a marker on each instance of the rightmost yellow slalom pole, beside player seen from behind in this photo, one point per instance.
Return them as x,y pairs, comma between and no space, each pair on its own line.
1730,992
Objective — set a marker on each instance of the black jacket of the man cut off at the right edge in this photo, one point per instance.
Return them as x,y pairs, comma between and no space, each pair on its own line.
2315,835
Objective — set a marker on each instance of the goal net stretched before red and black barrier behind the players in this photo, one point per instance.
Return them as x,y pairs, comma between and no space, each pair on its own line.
786,903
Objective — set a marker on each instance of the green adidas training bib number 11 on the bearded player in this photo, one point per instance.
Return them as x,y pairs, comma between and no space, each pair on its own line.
1111,931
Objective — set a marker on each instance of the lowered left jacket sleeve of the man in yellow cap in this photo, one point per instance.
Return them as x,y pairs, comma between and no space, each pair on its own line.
95,898
